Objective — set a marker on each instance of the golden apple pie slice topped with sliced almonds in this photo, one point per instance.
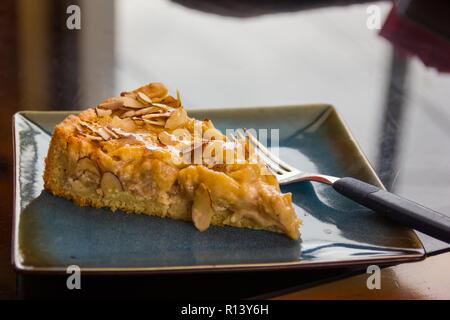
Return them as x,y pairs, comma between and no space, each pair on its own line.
141,153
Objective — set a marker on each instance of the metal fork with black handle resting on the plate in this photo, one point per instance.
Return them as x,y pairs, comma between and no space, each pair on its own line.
393,206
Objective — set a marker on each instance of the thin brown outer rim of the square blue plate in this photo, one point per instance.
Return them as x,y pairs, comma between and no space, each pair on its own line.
382,260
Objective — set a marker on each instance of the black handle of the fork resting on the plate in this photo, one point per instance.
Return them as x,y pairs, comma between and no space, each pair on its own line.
404,211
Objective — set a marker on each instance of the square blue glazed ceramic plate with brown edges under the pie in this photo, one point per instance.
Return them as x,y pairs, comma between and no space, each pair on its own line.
51,233
